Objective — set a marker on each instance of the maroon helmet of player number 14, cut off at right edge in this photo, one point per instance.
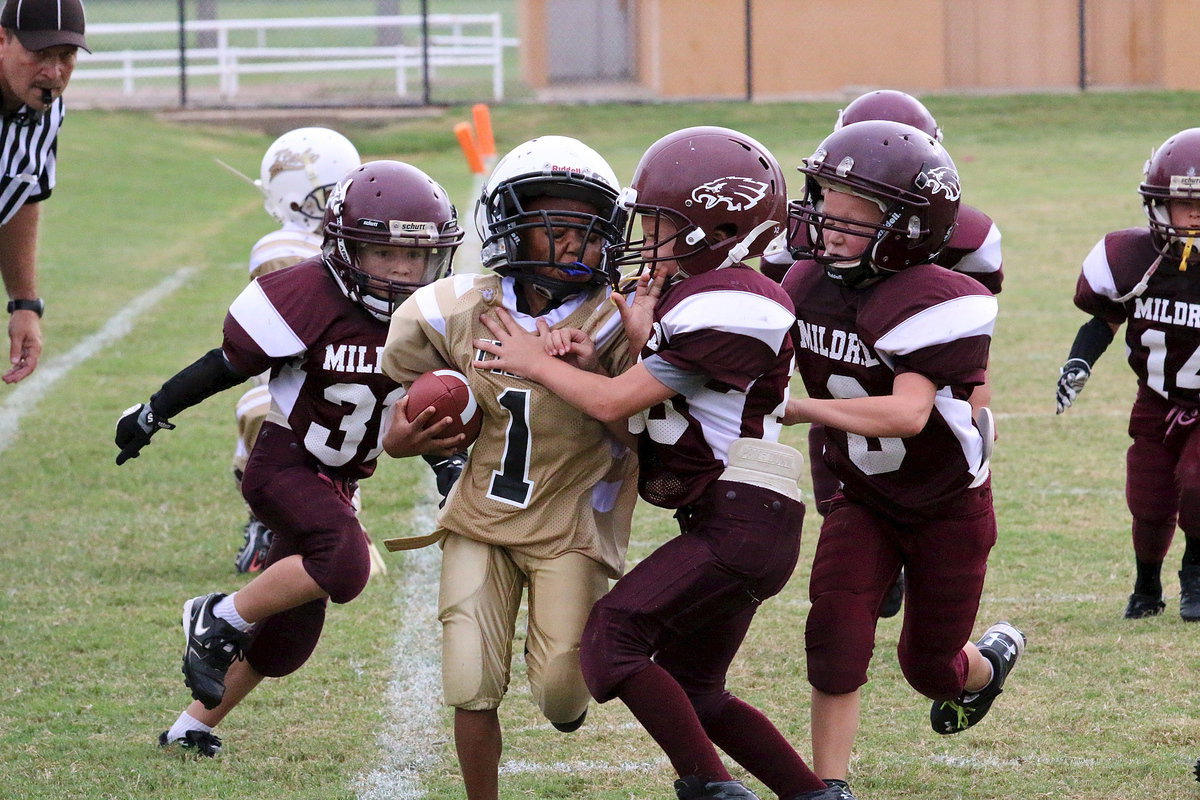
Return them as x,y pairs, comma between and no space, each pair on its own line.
1173,173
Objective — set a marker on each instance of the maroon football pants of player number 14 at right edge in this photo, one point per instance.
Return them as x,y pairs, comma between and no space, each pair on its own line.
1162,476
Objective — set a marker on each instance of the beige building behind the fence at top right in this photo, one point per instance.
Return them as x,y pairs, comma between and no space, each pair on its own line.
781,50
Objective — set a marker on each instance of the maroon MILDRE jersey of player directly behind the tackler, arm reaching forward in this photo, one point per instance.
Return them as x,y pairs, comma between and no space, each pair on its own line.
855,342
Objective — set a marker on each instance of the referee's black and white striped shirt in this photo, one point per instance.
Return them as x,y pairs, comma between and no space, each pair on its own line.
28,155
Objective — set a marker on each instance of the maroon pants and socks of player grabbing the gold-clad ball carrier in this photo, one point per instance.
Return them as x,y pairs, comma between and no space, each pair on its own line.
664,637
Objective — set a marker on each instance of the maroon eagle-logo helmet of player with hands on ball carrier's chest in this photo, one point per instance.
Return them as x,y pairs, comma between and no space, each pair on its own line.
721,193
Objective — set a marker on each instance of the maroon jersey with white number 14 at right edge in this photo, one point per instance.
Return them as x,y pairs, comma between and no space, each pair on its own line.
1163,330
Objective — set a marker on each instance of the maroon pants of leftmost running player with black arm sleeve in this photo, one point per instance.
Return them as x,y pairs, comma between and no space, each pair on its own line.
310,516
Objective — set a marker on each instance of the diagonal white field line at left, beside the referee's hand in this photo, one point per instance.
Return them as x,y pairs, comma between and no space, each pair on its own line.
27,395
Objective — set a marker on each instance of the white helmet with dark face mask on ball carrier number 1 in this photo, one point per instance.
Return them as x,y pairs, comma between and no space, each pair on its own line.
550,166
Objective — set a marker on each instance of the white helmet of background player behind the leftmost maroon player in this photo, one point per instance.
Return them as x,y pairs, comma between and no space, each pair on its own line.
299,171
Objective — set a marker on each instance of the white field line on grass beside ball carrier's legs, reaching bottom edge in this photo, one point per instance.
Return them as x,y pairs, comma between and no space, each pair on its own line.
415,694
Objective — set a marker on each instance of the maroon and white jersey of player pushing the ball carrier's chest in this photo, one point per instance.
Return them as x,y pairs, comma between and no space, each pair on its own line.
721,340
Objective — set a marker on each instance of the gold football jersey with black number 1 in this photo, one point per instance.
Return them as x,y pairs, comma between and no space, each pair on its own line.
543,477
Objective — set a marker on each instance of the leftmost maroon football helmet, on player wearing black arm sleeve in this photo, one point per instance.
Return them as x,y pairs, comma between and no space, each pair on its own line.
388,203
